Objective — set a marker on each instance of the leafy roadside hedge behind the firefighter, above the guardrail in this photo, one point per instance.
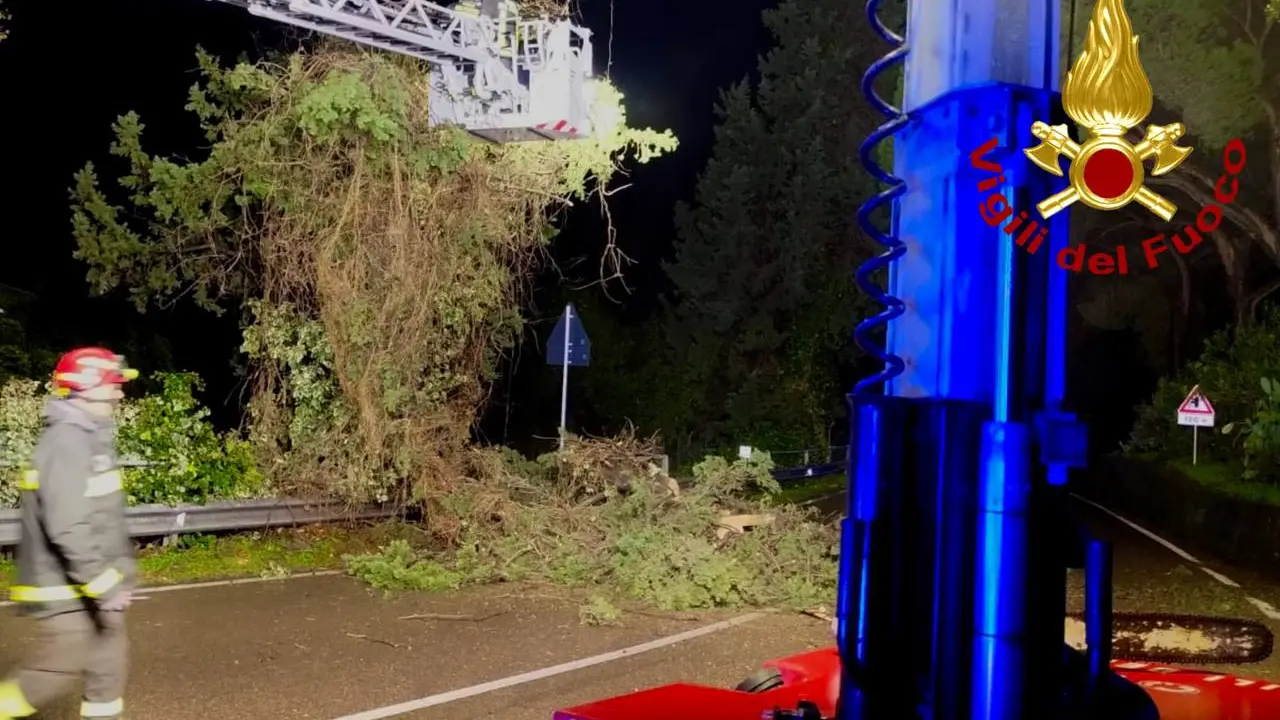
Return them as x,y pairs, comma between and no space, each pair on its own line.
185,459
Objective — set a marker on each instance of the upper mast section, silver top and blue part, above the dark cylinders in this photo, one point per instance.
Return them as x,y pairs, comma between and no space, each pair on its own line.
976,71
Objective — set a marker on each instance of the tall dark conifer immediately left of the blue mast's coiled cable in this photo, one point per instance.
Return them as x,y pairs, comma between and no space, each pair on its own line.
765,304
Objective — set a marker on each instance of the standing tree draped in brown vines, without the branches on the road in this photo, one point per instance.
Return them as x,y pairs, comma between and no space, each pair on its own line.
378,261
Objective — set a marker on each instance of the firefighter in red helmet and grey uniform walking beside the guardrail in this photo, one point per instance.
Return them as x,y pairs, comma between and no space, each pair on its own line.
76,568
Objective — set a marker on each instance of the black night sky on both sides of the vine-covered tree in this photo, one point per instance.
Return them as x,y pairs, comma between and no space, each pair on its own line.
71,69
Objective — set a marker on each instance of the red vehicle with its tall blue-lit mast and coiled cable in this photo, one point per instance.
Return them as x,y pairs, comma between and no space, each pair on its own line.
956,543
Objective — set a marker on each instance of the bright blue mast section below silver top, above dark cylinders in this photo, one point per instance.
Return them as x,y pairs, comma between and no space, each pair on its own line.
971,294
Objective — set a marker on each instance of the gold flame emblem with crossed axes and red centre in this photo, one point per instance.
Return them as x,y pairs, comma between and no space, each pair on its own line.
1109,94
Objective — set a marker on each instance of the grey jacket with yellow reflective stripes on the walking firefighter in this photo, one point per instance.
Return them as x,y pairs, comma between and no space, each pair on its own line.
76,549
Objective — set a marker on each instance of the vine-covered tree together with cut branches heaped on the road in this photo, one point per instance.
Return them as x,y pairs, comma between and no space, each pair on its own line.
380,265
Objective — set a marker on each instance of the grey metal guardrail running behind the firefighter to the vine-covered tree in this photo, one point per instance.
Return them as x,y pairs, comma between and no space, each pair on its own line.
163,521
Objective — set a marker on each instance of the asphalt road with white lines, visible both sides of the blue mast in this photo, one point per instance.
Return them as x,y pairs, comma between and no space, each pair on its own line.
326,649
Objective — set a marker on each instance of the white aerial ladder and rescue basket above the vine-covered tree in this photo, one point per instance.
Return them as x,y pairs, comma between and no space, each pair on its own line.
500,76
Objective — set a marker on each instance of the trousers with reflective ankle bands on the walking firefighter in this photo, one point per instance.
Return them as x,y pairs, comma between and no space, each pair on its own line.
88,645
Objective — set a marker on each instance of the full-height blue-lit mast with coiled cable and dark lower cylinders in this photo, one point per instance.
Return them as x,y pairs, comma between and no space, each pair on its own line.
936,616
